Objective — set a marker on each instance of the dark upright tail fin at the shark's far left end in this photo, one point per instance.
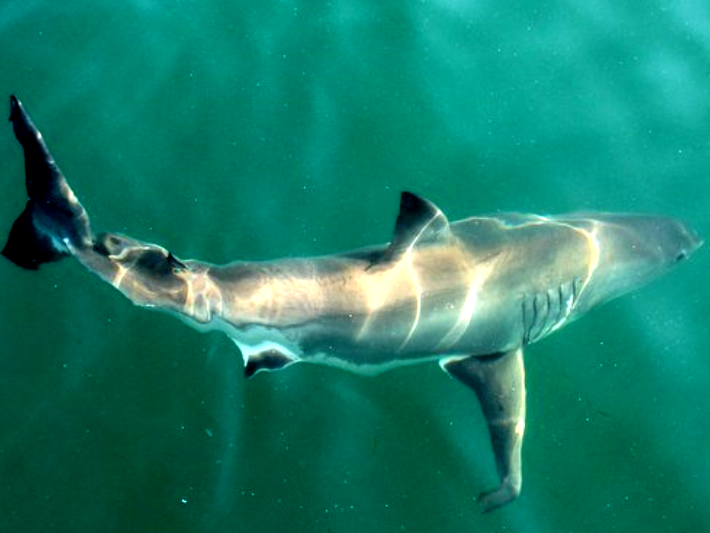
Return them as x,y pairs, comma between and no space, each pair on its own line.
53,222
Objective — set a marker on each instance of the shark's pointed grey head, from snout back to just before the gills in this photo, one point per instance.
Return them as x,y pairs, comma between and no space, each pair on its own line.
633,250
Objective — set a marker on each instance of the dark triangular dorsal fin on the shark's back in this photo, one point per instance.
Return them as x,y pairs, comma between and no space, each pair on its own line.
419,221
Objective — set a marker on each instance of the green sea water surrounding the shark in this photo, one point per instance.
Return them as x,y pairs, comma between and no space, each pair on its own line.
224,130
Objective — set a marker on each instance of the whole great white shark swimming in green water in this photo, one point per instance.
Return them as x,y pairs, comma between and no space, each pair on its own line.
469,294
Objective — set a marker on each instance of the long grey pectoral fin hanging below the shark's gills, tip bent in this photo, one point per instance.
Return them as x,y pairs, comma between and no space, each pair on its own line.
499,383
